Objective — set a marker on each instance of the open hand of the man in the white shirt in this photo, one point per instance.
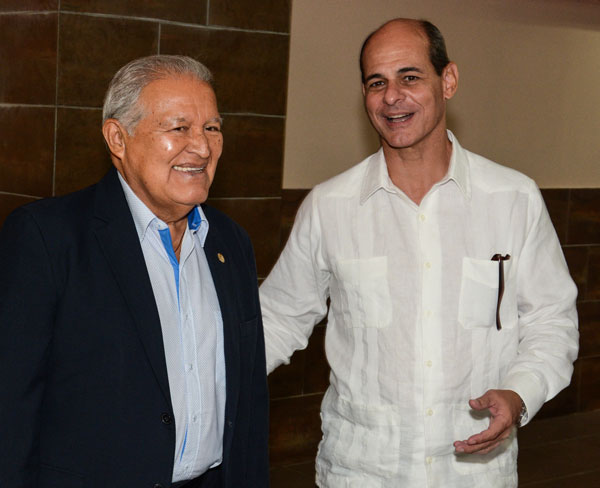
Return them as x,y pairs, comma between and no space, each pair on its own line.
505,407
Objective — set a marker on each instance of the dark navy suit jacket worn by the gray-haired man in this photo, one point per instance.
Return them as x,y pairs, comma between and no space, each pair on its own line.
84,393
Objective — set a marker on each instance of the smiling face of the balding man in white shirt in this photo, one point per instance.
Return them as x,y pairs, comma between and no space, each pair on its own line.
404,97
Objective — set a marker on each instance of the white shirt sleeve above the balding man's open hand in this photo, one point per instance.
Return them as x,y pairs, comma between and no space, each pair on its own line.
548,335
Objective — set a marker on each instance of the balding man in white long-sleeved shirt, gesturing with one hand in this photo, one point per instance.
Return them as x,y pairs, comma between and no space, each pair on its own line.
452,314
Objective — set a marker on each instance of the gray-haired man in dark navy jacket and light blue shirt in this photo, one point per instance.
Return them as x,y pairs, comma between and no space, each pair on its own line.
132,350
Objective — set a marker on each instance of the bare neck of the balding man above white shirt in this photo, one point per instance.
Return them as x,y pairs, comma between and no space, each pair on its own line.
415,170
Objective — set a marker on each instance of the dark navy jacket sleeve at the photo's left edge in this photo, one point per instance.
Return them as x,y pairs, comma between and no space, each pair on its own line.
28,297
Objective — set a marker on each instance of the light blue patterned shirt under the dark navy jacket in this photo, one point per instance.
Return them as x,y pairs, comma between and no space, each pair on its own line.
192,329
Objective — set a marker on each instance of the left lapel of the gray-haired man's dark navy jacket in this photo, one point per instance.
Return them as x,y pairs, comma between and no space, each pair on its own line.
119,241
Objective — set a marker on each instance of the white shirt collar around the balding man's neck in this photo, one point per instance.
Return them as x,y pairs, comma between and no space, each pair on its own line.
377,176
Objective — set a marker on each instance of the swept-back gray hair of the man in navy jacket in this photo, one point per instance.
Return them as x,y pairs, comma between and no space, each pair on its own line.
121,99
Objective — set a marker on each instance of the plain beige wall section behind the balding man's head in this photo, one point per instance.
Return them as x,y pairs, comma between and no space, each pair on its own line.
529,92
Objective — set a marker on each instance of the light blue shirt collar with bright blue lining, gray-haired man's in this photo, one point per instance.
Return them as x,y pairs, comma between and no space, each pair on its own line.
144,218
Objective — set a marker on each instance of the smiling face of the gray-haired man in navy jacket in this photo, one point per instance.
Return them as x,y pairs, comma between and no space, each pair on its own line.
169,160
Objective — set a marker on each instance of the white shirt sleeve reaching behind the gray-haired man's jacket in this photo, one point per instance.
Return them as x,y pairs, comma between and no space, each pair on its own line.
294,296
